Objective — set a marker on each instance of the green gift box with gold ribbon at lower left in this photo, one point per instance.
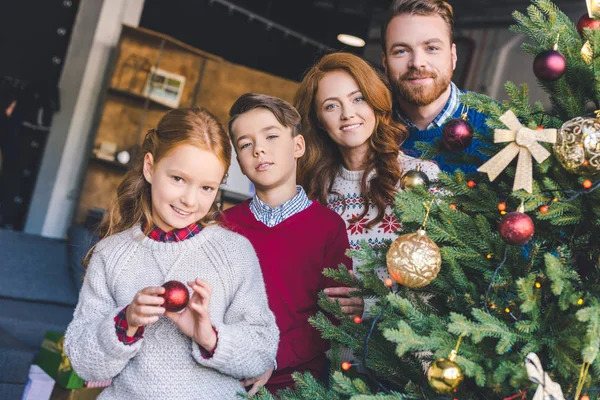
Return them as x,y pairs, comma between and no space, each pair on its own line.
53,360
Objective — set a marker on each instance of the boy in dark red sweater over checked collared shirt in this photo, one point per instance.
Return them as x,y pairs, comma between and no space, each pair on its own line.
294,237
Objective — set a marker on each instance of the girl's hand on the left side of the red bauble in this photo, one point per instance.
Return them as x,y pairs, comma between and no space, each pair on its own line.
144,307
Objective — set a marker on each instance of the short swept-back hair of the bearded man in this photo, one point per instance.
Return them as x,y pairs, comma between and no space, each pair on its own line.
418,7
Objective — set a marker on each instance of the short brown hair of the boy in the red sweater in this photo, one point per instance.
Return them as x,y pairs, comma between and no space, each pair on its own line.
285,113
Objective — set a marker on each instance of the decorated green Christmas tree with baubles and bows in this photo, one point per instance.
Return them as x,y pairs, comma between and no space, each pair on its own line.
516,299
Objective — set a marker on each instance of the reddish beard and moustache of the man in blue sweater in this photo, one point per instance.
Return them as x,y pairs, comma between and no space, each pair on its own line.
420,95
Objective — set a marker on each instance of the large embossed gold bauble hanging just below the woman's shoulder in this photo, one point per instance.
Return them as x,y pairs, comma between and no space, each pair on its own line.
414,260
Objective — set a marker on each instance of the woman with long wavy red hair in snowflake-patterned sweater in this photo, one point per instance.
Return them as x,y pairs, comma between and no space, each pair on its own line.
352,161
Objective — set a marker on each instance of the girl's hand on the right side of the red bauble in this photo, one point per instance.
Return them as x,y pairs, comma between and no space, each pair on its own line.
194,320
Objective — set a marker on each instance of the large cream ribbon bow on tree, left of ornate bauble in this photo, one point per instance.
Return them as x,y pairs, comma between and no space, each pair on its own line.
524,142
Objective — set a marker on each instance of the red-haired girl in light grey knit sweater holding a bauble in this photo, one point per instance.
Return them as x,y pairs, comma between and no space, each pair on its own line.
163,228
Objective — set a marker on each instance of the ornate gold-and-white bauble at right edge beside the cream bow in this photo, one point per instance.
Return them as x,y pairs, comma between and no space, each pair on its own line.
577,145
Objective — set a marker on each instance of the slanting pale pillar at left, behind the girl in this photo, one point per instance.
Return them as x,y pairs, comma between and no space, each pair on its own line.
57,191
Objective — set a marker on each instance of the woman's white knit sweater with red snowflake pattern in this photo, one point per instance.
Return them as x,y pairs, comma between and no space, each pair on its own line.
347,183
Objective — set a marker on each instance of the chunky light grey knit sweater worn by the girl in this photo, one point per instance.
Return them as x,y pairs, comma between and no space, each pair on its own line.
166,364
